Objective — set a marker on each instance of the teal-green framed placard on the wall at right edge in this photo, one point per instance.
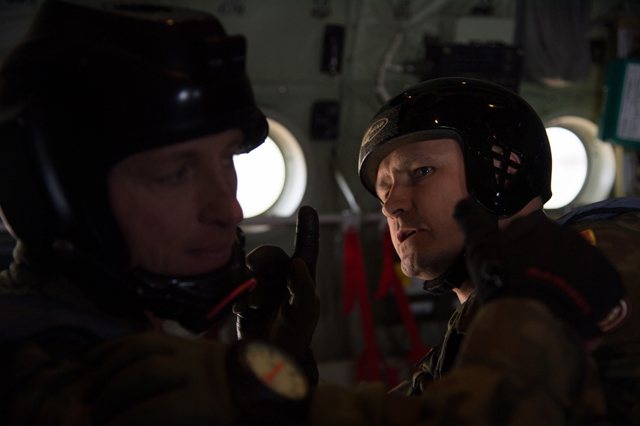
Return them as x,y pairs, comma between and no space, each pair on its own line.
620,122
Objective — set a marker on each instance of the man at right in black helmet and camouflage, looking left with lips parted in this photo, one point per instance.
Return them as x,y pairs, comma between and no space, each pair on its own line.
463,168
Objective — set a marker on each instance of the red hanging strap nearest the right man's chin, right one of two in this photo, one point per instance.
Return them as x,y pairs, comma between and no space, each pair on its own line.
389,279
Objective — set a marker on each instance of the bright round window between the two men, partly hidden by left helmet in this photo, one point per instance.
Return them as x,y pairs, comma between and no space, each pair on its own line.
273,177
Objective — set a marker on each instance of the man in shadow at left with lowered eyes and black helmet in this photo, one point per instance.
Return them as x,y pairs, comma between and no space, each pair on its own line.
118,127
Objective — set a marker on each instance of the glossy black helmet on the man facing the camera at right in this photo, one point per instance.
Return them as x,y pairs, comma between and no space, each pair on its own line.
489,122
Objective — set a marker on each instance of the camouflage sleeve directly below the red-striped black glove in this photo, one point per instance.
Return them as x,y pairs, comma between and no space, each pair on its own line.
519,365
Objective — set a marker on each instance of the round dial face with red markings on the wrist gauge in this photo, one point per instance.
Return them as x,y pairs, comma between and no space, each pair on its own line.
276,370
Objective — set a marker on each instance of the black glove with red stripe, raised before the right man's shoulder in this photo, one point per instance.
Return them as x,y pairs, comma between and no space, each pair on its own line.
536,258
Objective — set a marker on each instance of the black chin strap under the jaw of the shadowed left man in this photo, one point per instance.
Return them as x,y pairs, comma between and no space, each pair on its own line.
188,300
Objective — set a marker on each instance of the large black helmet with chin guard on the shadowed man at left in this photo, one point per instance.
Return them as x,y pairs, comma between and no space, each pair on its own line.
87,87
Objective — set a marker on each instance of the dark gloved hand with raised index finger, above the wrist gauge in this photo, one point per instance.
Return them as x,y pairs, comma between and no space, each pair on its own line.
284,308
